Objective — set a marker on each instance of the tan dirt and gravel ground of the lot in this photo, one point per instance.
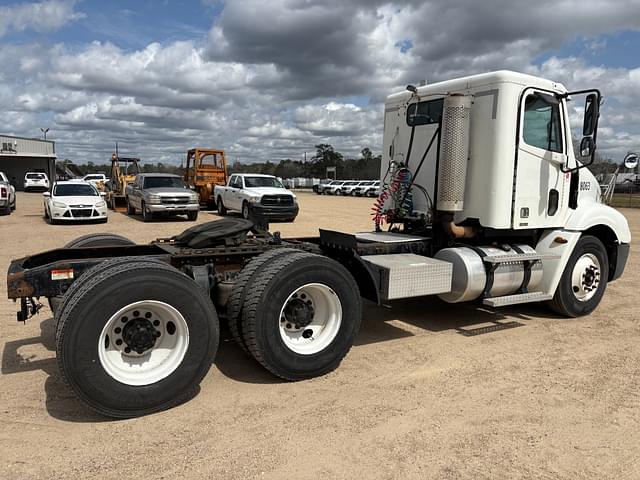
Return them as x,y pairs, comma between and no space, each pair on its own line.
419,395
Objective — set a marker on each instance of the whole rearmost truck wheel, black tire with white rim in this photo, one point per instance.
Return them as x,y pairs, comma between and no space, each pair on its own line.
135,338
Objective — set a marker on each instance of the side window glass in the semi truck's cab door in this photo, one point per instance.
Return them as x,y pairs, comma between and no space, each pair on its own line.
542,122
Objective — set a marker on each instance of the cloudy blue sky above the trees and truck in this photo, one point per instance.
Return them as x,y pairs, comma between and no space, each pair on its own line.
271,79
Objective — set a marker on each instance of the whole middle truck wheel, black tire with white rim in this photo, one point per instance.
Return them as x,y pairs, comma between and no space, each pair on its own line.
301,315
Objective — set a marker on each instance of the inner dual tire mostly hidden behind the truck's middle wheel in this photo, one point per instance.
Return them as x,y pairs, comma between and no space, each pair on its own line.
244,282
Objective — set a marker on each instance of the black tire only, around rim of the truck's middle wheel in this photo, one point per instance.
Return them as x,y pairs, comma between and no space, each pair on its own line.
270,290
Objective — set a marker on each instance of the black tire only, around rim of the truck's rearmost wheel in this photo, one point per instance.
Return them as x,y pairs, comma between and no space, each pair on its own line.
97,299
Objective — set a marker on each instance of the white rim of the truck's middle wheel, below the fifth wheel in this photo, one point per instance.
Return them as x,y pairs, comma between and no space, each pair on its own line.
310,329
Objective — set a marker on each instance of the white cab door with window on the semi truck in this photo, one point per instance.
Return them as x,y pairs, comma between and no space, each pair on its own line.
541,189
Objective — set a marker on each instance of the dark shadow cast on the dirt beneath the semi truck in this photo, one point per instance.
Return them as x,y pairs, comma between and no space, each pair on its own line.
379,324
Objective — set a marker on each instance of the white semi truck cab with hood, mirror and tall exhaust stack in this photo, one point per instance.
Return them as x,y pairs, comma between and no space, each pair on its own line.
491,159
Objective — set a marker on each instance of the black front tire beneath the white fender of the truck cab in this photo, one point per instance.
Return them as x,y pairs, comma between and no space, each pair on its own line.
565,301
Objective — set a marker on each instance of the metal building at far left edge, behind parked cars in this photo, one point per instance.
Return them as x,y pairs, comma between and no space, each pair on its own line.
21,155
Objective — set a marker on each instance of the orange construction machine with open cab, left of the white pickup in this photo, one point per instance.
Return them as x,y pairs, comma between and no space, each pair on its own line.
205,169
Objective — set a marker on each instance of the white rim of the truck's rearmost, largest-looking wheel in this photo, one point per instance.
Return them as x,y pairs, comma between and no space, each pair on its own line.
154,363
